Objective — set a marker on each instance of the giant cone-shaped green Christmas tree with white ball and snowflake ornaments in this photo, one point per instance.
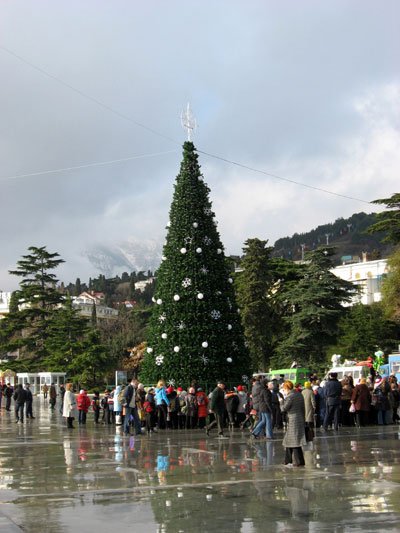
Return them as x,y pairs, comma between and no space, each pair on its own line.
195,331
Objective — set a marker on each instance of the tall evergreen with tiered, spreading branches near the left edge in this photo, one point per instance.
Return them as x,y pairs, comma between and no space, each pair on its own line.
27,327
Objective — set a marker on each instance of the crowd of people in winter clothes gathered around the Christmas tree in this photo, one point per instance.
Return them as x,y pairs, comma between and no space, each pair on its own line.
261,408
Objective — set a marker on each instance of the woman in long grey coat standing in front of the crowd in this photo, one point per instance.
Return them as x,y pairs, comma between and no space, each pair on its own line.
295,436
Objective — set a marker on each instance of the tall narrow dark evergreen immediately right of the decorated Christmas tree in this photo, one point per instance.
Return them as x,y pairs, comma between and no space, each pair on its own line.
253,287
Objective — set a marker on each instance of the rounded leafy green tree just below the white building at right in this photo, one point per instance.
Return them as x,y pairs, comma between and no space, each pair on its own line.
362,330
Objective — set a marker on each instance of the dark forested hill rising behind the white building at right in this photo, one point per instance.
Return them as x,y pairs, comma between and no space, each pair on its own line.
348,236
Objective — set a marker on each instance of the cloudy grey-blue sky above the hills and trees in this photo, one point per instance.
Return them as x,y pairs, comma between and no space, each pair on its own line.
307,90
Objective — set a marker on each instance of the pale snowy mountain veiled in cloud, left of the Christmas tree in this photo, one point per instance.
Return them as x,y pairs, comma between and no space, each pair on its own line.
126,256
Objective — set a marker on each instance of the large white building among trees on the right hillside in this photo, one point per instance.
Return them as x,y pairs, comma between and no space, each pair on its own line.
367,275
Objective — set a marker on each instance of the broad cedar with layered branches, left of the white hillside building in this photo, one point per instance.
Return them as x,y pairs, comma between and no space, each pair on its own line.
315,304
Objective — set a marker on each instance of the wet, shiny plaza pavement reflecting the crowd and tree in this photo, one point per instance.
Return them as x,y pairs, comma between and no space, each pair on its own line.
94,479
